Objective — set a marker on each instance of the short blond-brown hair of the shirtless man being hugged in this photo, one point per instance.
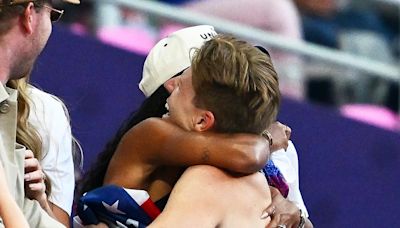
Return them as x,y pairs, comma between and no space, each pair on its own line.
238,83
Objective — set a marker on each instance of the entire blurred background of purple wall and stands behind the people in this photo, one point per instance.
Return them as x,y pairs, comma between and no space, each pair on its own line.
338,63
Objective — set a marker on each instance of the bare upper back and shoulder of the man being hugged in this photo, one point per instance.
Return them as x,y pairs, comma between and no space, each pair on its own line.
205,185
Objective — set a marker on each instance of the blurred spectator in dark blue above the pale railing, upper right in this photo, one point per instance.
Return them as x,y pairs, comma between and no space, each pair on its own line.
325,20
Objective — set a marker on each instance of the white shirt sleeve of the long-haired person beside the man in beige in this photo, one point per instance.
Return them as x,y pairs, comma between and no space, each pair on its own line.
49,118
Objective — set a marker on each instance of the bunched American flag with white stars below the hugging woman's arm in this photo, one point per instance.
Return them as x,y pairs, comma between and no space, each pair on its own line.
117,206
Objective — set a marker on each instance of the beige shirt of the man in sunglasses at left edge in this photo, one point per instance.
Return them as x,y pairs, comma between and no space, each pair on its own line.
12,156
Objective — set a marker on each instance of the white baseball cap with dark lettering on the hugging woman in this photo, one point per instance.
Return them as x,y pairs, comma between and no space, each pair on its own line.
171,55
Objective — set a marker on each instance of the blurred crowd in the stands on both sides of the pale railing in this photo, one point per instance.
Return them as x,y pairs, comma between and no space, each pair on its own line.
368,28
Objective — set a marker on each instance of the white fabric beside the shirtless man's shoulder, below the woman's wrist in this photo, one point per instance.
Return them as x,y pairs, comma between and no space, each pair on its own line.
288,164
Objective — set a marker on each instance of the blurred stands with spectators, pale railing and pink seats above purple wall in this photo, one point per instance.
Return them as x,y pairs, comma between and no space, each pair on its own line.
334,52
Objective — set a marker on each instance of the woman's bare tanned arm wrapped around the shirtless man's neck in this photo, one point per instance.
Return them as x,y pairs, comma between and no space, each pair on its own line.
157,141
